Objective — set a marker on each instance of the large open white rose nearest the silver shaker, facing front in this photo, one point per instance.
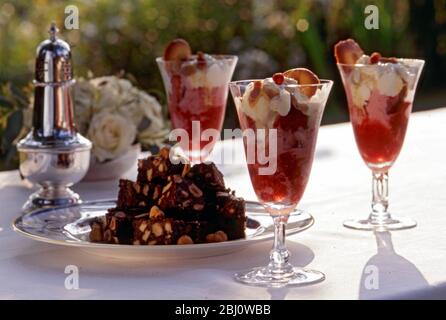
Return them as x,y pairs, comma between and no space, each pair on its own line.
111,134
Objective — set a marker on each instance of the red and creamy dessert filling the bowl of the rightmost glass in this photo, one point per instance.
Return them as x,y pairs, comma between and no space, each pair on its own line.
380,92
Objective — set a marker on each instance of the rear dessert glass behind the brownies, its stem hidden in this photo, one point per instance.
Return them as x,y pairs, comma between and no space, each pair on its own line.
197,91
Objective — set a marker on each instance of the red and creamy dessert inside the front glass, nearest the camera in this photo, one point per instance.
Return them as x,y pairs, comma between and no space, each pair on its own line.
295,115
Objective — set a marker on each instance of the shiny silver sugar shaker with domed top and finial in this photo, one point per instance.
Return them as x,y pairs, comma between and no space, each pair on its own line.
53,155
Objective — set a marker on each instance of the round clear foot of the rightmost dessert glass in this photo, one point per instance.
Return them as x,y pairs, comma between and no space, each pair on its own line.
393,223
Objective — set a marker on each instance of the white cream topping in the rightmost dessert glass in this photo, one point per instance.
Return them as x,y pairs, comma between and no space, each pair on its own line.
389,79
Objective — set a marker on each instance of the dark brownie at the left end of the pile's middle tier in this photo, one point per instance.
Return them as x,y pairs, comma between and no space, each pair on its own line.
136,194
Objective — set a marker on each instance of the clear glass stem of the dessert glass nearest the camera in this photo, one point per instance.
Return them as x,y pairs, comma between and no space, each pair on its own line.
279,254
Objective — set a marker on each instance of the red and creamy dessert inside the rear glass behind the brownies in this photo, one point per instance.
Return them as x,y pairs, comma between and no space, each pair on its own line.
197,91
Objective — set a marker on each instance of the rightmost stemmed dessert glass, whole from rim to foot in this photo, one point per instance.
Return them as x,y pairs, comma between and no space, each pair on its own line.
380,94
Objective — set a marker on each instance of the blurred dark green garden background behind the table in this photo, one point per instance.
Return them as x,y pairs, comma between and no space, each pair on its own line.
124,37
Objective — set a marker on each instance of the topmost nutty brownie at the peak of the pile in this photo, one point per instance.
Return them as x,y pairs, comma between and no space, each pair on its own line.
157,168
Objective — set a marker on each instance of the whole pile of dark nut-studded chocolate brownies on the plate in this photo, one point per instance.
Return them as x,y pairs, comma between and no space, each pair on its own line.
172,203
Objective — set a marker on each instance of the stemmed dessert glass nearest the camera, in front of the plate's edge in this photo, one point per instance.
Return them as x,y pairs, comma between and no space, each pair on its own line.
293,112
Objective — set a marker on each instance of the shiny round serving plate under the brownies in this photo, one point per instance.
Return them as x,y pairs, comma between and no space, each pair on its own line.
69,226
